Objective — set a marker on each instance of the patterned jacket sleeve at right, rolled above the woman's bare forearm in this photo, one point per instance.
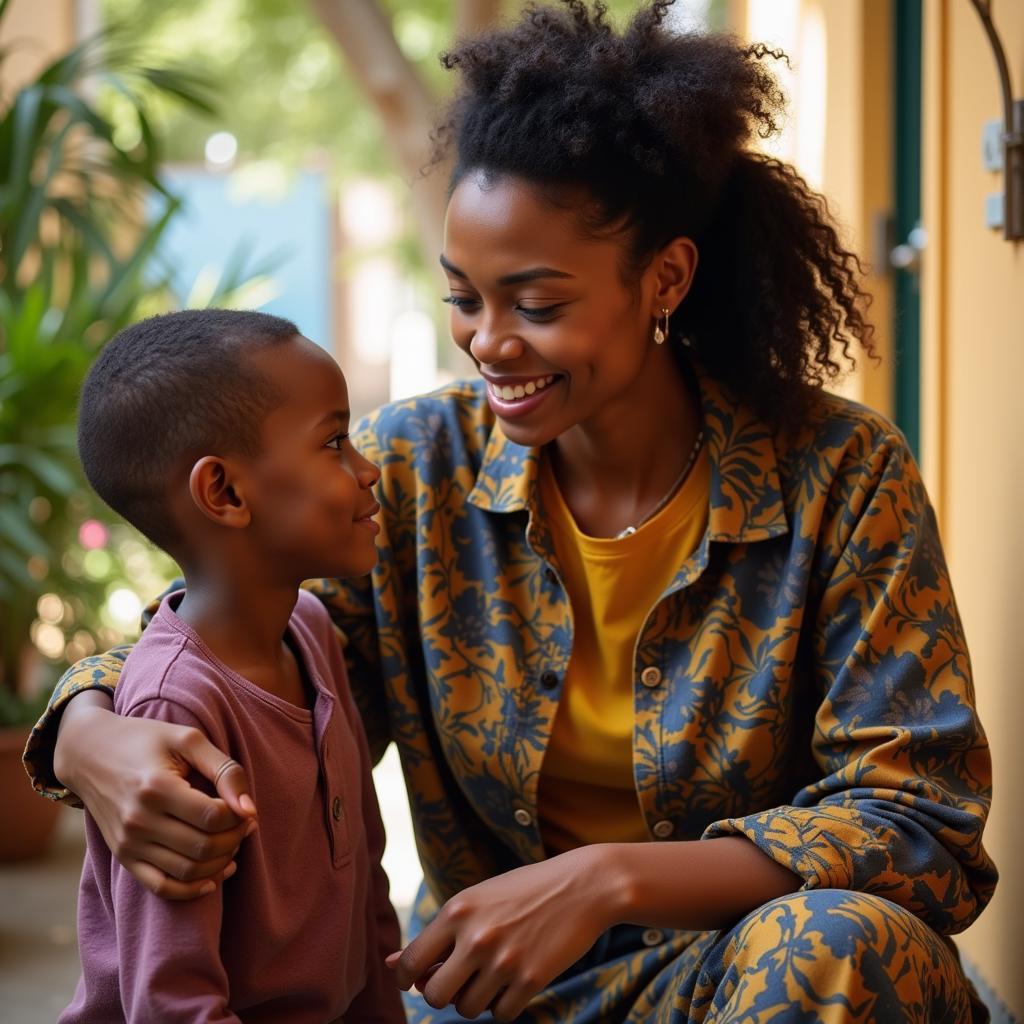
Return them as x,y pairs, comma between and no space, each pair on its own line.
905,774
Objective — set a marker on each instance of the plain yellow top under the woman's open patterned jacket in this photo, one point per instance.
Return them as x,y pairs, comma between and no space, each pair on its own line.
587,792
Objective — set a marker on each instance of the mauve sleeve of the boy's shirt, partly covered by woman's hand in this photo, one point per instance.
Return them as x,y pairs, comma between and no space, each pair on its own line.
169,952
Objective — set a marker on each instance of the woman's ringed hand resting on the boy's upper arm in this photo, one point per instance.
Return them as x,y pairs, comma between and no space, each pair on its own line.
132,775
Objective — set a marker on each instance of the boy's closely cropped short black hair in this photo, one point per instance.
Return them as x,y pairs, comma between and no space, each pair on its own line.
170,389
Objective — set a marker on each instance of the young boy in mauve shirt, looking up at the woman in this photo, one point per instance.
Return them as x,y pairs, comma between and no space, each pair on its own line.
222,436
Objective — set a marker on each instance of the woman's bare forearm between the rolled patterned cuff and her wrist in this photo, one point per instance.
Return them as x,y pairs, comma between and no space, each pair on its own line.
700,885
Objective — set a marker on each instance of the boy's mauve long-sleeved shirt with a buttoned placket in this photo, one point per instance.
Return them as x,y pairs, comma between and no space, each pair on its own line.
301,933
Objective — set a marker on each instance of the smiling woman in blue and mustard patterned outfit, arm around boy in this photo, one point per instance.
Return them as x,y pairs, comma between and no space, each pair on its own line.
663,632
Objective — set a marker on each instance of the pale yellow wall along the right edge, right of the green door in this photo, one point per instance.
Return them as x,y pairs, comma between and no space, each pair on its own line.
974,348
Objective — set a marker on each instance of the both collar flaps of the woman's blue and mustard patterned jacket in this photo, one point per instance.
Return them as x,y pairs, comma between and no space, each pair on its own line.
746,494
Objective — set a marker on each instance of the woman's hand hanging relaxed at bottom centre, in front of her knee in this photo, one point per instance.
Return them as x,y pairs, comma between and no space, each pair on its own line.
499,944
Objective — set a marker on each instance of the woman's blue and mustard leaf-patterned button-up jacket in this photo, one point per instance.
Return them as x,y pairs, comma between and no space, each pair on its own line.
803,681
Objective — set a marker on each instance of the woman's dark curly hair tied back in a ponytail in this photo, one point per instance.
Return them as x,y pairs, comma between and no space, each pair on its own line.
656,130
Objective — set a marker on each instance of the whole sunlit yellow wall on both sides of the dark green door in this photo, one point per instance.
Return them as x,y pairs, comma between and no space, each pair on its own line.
972,346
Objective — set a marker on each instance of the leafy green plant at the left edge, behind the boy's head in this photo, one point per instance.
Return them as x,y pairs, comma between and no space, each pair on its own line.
75,267
